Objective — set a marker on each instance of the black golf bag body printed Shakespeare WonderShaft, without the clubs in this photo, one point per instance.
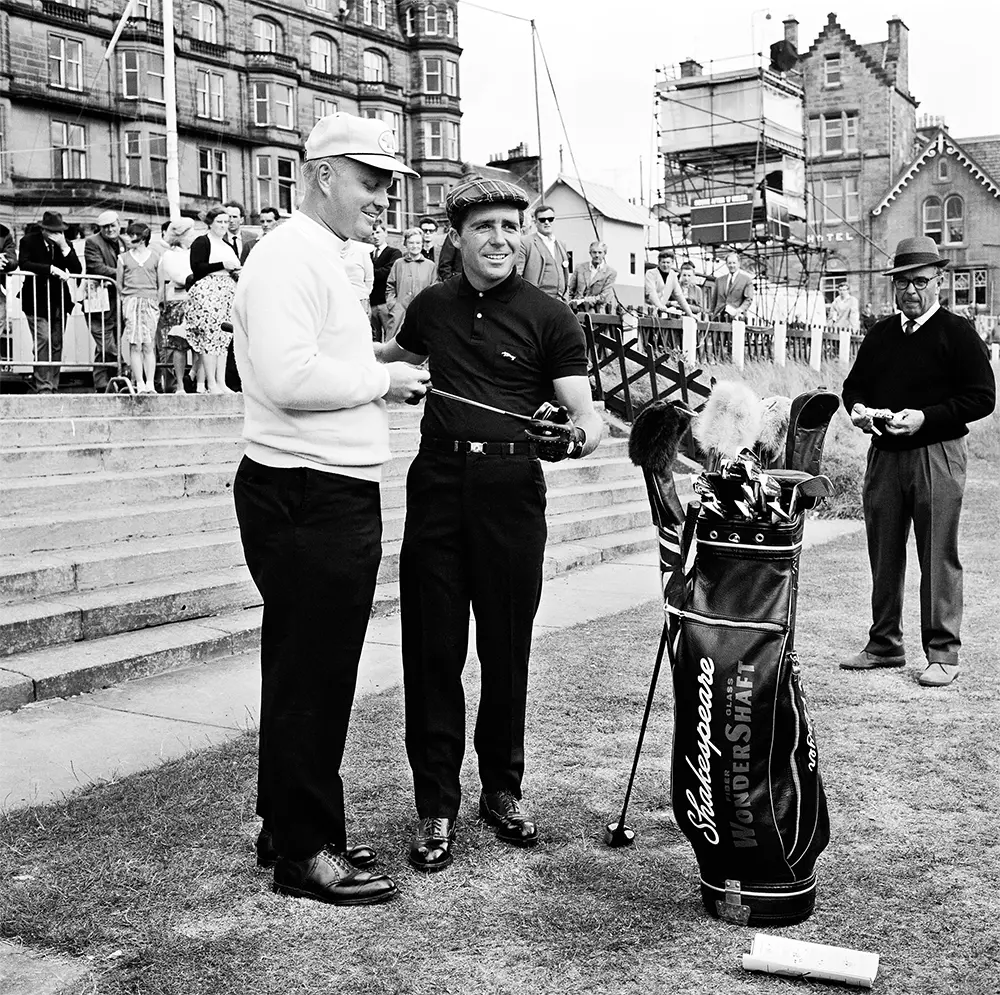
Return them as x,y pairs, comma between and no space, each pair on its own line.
746,786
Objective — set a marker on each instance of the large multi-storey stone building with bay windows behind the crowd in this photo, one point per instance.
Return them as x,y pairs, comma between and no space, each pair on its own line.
79,134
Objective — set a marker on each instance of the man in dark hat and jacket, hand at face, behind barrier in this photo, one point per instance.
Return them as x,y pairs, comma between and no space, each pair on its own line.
46,297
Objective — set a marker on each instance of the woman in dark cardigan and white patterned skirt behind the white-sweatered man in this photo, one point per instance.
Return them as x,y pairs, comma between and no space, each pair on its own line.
215,268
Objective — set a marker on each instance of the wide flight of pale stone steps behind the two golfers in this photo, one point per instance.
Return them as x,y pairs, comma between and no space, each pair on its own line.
119,551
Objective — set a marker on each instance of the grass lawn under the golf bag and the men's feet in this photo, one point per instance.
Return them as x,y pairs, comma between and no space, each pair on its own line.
152,879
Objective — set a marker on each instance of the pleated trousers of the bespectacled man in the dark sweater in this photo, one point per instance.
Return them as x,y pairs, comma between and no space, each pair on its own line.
923,486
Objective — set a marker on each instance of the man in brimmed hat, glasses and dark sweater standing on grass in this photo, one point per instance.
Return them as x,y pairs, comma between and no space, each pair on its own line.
920,376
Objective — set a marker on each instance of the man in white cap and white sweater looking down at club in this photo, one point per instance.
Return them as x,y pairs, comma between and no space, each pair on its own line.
308,503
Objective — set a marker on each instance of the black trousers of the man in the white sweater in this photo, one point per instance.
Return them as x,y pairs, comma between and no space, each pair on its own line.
313,542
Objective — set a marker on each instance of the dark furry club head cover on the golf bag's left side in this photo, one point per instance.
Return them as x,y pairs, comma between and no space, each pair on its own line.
652,445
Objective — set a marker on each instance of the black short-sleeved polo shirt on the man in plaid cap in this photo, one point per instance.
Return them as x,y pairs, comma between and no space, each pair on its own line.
502,346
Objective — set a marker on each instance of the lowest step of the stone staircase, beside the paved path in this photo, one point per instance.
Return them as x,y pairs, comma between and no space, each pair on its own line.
75,668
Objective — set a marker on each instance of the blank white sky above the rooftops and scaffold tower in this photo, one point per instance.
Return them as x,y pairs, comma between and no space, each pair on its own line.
603,58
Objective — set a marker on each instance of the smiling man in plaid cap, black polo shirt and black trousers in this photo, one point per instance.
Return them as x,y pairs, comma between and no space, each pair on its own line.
475,511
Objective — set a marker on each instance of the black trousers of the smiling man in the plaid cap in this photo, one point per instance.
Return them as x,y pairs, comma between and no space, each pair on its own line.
475,535
